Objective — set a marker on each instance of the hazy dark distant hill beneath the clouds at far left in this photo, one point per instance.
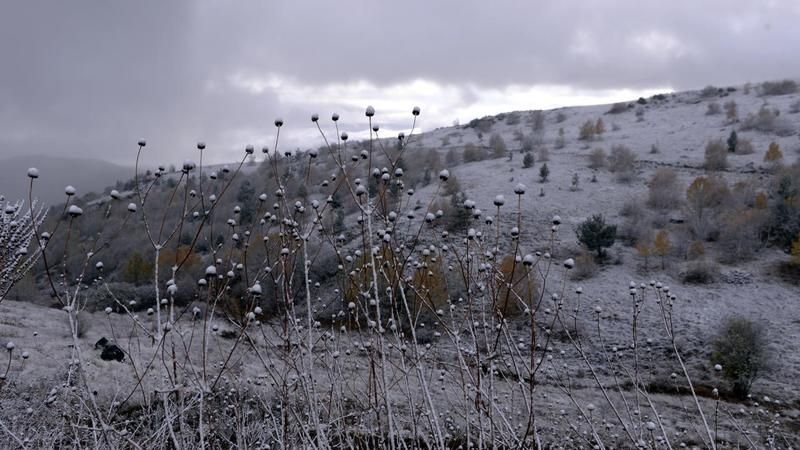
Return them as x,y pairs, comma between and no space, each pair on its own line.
56,172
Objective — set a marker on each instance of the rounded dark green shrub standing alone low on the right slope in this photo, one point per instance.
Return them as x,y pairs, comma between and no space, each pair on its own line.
740,347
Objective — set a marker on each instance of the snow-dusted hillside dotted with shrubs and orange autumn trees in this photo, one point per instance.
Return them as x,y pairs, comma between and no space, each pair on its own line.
724,257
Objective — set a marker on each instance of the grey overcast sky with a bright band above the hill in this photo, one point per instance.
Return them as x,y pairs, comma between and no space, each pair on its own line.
89,78
